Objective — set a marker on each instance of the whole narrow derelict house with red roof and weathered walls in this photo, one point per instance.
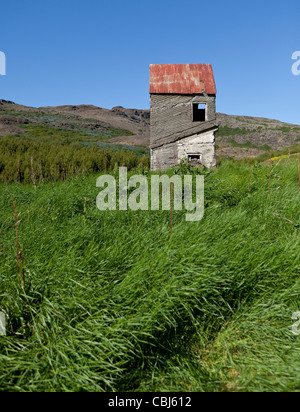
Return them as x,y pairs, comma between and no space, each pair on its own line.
183,115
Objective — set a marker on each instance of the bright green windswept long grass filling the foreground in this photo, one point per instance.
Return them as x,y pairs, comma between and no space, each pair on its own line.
108,301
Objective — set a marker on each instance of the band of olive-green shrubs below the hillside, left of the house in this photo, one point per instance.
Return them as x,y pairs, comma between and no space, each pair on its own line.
20,158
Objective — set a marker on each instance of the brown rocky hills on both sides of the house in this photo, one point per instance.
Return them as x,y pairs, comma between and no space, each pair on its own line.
236,137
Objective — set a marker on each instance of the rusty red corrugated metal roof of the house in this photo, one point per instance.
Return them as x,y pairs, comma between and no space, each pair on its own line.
182,79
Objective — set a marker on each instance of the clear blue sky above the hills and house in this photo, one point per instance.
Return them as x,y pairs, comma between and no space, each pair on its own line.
98,52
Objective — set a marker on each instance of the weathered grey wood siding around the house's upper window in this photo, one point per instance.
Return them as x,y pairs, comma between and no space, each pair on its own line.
172,117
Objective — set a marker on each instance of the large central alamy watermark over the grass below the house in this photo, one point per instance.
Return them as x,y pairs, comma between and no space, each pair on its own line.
164,190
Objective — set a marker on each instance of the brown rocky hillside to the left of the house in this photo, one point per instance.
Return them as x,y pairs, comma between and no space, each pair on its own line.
94,121
